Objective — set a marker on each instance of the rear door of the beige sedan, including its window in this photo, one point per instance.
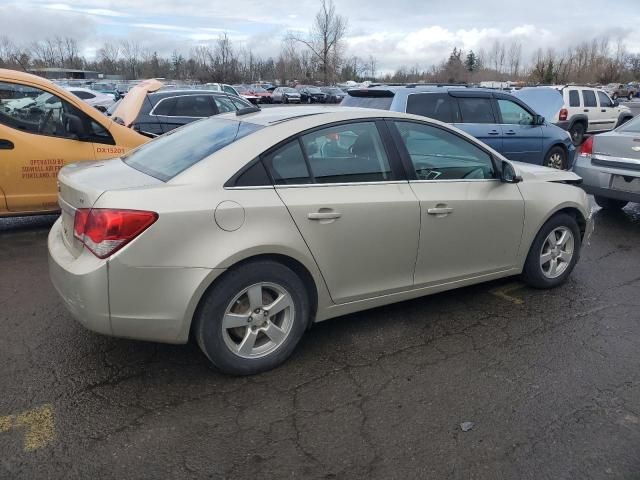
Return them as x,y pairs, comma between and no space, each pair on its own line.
344,190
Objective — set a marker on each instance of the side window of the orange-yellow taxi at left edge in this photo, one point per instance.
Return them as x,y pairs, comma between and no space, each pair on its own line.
35,111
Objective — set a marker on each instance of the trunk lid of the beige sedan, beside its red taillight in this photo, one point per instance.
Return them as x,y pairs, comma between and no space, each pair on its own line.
80,185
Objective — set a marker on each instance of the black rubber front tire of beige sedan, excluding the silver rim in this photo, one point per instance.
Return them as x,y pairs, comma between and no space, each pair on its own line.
532,273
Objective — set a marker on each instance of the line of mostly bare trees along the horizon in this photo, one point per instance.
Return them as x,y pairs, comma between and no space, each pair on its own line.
320,56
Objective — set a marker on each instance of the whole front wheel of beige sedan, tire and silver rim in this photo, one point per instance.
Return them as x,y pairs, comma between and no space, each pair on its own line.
553,253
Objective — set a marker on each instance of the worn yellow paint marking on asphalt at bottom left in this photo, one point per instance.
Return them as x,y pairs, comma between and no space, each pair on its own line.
38,425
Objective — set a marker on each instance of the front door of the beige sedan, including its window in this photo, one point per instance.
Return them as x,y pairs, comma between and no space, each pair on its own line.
471,222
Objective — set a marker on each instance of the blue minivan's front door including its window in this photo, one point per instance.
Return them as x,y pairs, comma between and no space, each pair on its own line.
521,138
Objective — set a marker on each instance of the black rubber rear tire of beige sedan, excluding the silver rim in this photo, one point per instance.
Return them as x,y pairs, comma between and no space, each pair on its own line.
208,329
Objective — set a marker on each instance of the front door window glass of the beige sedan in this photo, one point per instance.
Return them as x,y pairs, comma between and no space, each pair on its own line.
437,154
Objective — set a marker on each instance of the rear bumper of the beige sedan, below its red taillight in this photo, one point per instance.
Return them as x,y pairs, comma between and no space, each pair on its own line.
123,300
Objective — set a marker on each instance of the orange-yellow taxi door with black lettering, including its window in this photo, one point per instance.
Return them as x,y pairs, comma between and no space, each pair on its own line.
38,136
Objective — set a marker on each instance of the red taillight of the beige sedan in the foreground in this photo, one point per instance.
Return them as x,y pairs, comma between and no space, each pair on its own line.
104,231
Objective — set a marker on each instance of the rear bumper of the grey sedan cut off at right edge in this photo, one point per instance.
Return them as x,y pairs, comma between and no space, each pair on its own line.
598,179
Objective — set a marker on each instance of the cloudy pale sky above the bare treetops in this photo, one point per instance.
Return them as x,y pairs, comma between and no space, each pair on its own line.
401,32
